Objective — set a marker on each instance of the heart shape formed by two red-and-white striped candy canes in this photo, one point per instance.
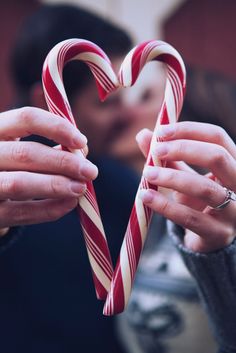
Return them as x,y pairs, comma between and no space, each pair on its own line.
114,286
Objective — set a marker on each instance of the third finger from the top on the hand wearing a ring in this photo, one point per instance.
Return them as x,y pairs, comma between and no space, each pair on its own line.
193,185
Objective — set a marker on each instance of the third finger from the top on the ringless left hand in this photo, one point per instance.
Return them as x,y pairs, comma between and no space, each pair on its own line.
25,186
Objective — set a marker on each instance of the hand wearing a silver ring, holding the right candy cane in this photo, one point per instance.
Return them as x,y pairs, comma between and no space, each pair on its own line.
193,195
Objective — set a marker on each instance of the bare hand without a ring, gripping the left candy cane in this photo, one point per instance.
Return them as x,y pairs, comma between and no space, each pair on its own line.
39,183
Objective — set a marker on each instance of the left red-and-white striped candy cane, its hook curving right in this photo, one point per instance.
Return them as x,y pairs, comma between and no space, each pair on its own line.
106,80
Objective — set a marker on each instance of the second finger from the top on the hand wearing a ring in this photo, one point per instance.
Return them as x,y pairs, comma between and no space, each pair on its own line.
202,154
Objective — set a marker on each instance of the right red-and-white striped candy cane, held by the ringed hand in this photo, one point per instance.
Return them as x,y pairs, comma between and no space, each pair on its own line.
139,221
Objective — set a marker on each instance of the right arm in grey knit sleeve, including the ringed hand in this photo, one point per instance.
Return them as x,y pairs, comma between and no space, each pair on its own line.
207,241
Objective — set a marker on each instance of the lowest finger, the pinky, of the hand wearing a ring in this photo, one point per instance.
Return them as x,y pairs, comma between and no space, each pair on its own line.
212,231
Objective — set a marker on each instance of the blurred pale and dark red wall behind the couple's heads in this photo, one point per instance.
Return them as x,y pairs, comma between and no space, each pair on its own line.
201,30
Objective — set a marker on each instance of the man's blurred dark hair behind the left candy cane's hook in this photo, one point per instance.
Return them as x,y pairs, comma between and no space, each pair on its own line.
51,24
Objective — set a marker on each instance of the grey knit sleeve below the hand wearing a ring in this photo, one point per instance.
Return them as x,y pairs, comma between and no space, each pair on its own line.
215,274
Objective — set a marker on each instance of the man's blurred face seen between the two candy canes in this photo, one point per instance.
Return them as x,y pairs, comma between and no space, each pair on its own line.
102,123
